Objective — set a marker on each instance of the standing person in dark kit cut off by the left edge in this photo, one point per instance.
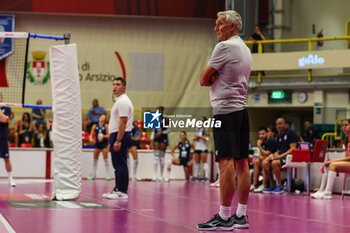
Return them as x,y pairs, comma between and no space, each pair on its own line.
5,114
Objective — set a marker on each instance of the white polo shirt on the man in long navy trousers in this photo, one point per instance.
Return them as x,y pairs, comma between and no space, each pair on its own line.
122,107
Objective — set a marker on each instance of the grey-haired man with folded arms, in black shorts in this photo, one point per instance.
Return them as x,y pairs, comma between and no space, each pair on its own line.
228,73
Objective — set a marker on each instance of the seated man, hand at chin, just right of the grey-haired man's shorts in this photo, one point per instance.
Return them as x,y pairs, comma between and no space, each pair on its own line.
267,146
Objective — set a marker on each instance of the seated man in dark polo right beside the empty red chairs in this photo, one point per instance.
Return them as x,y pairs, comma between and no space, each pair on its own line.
287,140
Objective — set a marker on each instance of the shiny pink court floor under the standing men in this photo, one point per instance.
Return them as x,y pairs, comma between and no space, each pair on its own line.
155,207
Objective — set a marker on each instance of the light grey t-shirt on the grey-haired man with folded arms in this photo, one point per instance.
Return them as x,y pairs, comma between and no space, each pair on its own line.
233,61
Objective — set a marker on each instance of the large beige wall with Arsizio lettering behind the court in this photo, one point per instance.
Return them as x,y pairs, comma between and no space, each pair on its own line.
186,45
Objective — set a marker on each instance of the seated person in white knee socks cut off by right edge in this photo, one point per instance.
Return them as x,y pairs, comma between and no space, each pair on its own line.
331,168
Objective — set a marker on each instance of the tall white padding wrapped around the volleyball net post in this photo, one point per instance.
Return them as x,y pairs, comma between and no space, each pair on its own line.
67,126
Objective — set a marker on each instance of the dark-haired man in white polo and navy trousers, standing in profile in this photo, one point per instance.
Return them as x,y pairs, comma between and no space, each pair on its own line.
120,126
